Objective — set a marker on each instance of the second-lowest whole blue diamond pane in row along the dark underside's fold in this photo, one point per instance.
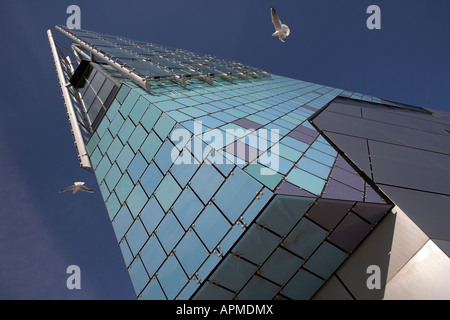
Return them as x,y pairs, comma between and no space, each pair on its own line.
191,252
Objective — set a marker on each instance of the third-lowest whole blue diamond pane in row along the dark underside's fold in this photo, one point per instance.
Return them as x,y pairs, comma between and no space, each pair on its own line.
211,217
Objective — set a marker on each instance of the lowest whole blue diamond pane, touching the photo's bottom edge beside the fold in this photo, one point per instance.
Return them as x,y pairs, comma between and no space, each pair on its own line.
172,277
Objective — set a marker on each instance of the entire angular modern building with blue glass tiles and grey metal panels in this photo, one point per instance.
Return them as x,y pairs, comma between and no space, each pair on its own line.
223,181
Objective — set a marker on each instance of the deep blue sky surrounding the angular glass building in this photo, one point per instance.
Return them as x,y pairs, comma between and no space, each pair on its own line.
42,232
